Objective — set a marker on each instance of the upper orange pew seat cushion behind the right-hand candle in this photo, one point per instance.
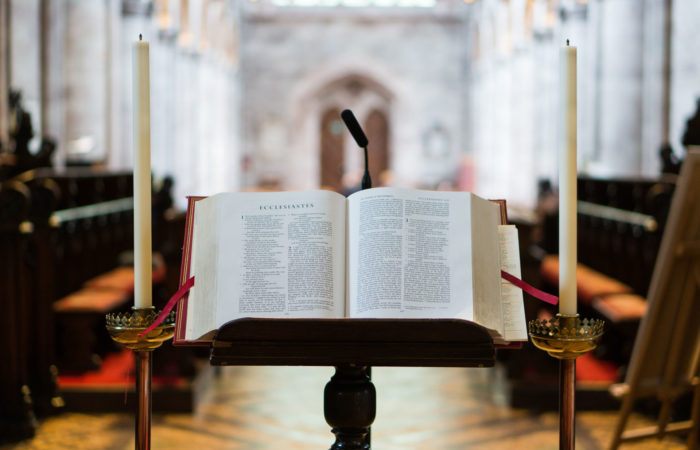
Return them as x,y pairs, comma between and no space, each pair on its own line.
590,283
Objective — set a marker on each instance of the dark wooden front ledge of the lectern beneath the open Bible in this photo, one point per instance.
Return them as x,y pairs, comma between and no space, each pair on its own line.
373,342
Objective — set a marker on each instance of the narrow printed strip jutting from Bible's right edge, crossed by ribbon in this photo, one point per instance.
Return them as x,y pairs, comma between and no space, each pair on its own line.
514,325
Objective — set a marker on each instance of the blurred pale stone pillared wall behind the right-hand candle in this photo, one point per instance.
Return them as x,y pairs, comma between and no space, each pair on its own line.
622,89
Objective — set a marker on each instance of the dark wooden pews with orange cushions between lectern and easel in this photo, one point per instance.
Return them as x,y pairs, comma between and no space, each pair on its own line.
620,224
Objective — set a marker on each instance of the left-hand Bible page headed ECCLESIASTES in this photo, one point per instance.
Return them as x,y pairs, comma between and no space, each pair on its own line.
280,254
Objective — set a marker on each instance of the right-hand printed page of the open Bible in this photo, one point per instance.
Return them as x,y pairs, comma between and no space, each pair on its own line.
408,254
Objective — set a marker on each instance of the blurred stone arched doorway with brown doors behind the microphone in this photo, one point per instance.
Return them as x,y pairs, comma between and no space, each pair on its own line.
363,86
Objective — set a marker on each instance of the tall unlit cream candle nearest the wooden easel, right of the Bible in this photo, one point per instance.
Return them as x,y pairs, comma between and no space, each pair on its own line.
567,182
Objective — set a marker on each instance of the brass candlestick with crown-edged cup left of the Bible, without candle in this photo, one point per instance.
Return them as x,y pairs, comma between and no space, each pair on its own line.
125,328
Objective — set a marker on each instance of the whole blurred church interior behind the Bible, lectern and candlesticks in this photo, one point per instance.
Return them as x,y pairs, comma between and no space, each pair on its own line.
246,95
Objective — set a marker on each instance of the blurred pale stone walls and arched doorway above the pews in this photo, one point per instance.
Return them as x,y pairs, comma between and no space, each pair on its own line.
464,94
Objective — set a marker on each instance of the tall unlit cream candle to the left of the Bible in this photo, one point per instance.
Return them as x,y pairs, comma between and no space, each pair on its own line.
142,176
